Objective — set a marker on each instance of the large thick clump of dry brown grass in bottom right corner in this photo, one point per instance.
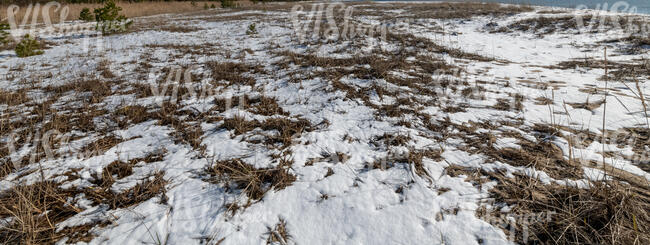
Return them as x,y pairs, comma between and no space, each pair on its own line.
605,213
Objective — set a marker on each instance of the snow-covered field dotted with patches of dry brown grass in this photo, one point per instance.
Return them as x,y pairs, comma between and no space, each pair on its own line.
198,128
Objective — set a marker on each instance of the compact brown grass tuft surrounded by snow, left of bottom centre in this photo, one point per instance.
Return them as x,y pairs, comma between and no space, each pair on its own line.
235,174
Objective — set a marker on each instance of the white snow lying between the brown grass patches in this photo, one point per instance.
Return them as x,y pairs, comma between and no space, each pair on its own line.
363,206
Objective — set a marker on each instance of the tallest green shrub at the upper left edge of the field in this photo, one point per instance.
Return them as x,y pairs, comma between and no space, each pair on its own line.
109,19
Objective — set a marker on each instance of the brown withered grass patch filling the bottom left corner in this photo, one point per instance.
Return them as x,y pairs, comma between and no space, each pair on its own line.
34,211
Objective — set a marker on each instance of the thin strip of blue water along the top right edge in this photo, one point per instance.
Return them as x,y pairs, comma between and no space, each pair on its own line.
637,6
